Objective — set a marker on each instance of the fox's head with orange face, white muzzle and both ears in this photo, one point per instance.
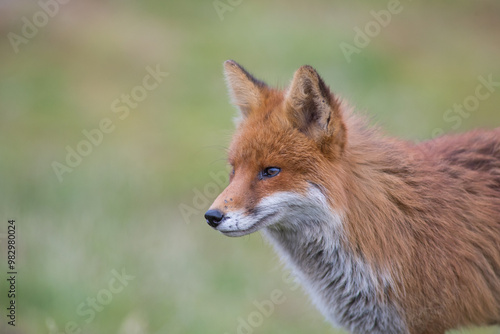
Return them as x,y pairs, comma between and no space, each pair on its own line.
285,149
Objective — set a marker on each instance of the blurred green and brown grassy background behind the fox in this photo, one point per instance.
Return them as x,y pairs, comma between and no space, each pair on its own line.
135,203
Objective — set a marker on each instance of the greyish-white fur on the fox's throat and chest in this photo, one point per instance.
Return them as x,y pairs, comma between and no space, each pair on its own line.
347,291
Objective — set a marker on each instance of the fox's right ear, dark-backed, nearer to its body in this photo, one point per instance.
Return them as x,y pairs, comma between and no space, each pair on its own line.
314,111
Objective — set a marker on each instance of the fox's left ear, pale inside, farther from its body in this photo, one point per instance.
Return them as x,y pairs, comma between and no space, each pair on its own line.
244,89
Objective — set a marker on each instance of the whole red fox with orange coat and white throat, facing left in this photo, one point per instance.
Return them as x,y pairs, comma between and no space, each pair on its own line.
386,236
